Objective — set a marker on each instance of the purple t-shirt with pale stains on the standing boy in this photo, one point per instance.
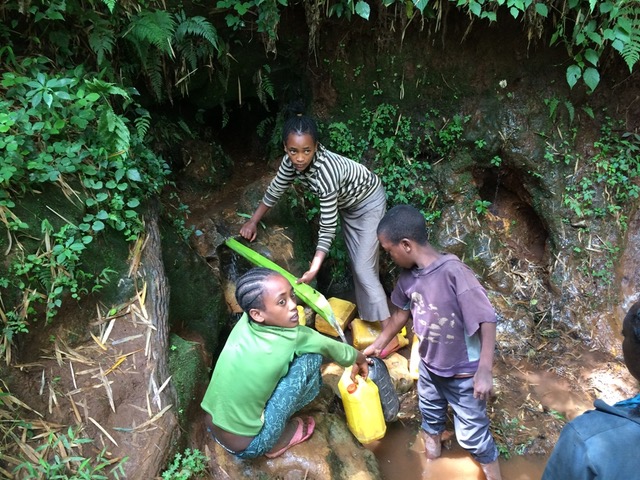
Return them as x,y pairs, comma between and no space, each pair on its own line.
448,304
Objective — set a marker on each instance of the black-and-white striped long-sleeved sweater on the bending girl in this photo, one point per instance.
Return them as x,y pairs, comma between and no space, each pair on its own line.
339,182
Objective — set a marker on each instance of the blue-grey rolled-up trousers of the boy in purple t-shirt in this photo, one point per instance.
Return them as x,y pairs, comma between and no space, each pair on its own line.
470,419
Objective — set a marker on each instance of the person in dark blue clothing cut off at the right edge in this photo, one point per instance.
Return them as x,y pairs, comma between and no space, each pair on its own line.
603,443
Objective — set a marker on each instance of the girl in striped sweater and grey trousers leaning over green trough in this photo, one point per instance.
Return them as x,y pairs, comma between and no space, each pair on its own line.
344,187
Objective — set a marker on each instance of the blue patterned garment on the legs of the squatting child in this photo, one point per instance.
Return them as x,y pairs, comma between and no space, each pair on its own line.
295,390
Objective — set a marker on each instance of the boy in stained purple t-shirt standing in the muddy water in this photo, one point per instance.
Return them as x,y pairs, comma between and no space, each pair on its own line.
456,326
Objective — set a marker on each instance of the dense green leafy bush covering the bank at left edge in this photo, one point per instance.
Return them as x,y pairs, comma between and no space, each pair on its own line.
71,131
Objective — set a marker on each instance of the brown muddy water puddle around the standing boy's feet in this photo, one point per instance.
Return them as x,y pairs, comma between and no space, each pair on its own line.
400,455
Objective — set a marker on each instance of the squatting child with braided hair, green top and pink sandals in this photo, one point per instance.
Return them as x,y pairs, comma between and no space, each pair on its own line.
268,370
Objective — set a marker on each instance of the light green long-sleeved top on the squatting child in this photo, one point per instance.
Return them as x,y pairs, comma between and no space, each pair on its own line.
252,362
